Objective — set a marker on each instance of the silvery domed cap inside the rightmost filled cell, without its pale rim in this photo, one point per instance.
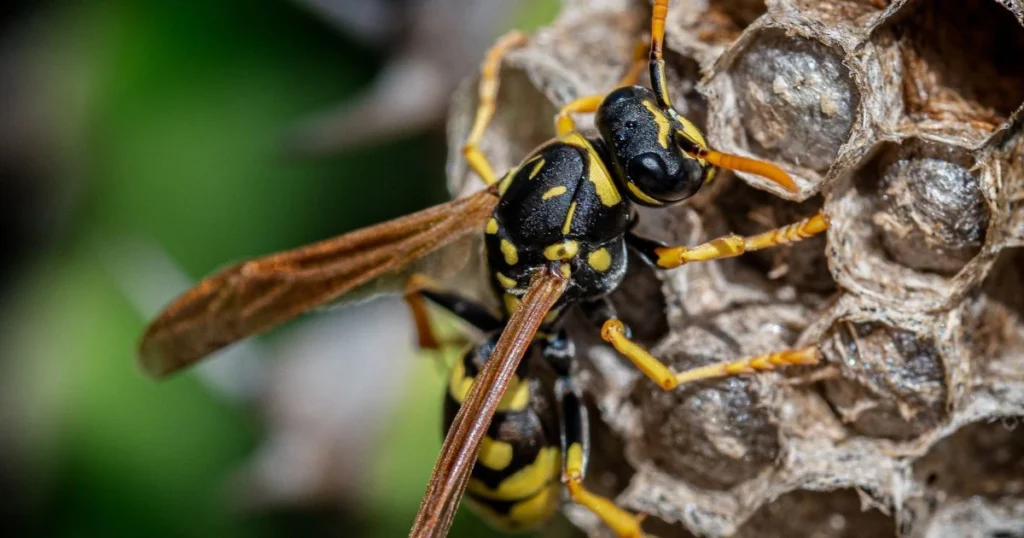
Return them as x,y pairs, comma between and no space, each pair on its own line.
931,215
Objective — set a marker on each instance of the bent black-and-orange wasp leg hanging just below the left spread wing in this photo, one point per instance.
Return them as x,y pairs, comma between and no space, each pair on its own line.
420,288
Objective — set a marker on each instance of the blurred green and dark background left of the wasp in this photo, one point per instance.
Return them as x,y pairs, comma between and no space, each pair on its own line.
143,139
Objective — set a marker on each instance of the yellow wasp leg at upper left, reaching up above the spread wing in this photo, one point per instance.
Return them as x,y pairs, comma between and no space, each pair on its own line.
486,109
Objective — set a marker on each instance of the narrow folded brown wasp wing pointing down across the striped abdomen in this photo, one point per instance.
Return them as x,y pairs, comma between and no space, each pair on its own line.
463,441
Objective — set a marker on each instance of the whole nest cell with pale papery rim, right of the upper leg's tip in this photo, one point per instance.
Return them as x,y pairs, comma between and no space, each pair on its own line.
908,229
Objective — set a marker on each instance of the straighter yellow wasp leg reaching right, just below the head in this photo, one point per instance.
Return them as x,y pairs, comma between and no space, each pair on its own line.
727,246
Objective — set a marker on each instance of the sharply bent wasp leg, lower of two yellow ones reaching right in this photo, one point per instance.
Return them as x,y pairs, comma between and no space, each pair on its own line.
615,333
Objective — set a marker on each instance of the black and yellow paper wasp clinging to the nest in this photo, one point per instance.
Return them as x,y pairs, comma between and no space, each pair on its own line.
557,232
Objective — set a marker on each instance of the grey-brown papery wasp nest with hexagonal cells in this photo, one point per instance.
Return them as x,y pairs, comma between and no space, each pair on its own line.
904,119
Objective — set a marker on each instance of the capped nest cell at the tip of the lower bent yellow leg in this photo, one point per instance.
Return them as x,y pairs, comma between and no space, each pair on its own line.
893,383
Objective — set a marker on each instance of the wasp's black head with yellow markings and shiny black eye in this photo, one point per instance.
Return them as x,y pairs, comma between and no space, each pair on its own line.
650,167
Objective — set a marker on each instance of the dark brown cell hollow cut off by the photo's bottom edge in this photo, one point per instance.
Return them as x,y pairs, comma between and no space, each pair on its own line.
818,515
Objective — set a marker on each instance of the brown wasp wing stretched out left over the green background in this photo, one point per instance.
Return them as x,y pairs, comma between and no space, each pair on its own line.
257,296
